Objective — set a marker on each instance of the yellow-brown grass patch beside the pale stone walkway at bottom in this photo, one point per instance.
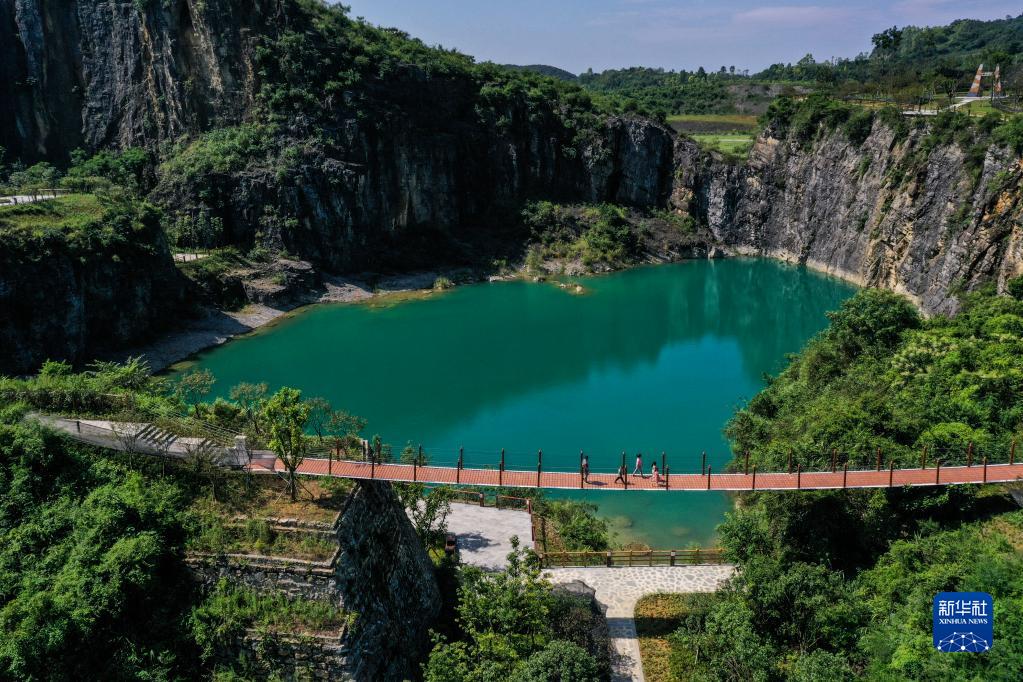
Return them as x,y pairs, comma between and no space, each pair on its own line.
657,617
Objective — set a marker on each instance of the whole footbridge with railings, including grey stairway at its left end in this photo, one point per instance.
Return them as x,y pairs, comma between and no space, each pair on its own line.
148,439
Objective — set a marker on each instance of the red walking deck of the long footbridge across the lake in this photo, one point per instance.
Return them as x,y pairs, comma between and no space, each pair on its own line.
884,478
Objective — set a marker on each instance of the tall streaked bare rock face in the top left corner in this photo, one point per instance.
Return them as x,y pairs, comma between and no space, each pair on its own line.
92,74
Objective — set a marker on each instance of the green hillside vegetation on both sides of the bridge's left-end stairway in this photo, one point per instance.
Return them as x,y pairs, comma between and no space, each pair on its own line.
93,579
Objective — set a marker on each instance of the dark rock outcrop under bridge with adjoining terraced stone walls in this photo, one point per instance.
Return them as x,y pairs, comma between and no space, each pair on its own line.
380,573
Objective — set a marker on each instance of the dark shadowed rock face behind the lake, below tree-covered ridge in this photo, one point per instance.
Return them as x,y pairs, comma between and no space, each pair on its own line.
415,193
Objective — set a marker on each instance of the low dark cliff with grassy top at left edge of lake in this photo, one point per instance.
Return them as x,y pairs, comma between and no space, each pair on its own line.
69,290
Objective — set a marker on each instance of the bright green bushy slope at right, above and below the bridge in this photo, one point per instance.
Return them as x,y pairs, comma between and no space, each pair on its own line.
839,584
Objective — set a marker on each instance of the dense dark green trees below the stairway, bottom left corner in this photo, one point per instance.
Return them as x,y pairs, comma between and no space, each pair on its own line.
92,583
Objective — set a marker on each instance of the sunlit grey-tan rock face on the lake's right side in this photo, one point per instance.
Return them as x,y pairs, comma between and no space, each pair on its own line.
886,213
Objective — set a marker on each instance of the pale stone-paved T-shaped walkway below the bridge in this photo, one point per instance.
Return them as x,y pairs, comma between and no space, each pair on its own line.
619,589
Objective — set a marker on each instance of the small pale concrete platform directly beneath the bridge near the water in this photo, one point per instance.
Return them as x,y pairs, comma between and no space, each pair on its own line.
484,533
